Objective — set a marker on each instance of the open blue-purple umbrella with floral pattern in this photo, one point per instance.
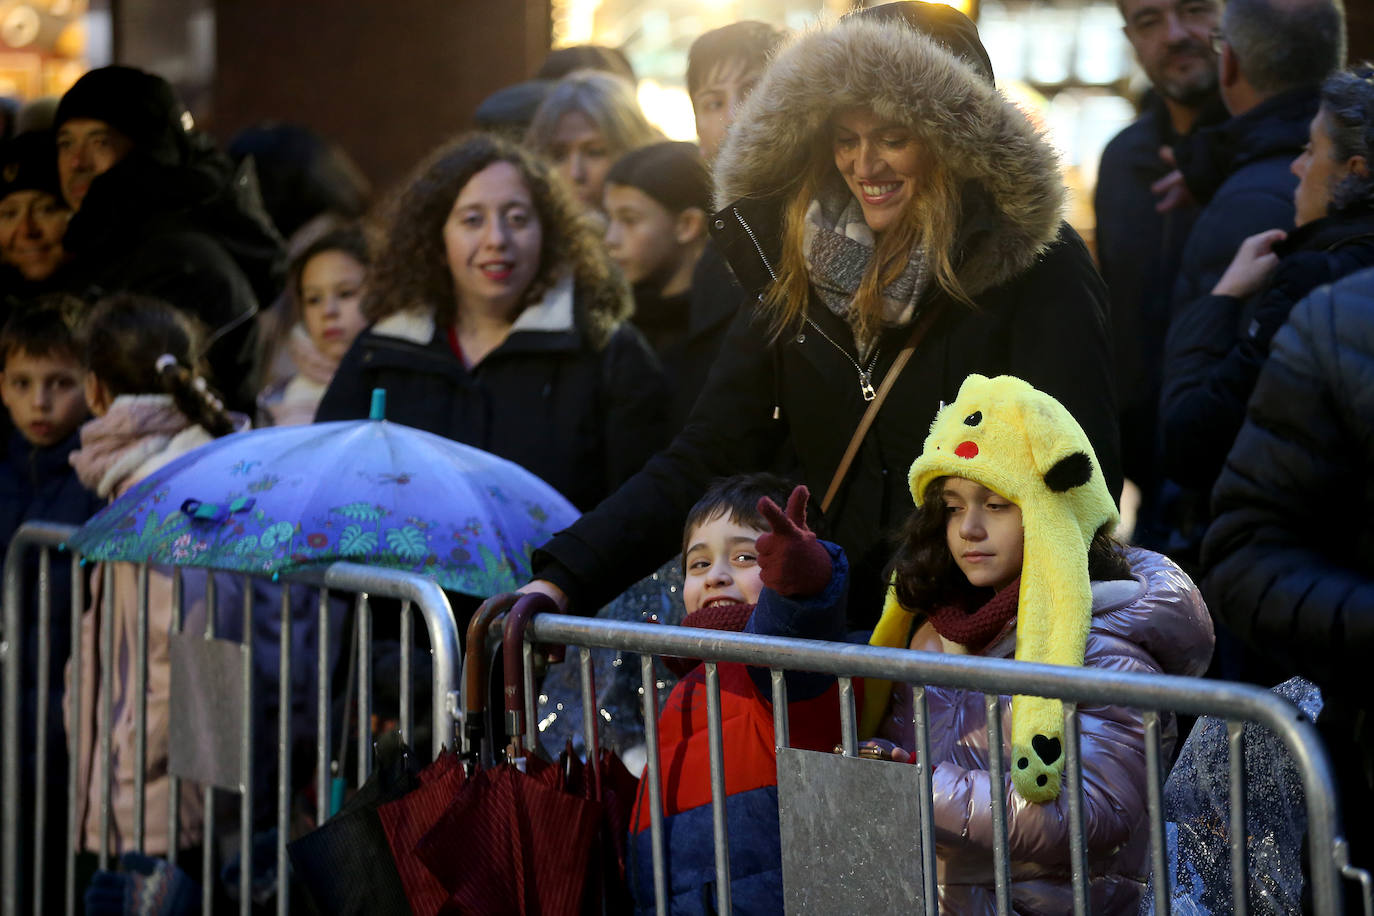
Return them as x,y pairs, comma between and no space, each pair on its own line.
363,491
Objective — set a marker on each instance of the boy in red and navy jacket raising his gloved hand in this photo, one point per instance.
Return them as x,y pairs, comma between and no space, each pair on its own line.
748,568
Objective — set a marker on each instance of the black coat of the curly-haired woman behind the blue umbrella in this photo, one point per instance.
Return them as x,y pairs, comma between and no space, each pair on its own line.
582,417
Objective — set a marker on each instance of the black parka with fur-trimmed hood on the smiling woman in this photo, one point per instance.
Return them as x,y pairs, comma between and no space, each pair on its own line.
1041,315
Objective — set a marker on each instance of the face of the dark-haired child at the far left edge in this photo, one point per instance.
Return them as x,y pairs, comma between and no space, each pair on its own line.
45,396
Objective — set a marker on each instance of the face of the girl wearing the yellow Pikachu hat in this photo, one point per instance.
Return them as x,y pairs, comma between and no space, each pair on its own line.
984,534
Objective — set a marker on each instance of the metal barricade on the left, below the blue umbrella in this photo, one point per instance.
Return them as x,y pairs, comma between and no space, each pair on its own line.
363,582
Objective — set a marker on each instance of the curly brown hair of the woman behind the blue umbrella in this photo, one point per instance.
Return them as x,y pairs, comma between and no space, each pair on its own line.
412,270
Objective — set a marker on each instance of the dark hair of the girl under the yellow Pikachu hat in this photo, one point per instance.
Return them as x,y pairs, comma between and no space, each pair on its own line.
924,572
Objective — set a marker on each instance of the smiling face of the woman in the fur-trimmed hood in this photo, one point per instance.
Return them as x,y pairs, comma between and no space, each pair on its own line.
881,164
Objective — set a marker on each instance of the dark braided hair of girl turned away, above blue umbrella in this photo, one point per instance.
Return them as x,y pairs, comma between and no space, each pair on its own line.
139,345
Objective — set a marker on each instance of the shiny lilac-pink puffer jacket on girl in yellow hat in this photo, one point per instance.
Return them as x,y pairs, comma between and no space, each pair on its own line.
1155,623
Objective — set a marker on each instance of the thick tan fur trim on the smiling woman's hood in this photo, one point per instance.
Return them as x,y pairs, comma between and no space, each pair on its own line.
998,157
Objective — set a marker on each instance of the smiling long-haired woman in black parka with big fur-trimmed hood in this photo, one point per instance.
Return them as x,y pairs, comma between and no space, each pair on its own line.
875,183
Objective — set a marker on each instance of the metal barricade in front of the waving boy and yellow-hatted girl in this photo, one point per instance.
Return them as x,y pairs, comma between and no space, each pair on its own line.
1152,694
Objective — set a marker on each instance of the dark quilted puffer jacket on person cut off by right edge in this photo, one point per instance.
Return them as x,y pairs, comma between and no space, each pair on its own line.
1289,557
